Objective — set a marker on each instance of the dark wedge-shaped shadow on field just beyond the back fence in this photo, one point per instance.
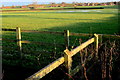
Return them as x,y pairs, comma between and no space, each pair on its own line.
108,26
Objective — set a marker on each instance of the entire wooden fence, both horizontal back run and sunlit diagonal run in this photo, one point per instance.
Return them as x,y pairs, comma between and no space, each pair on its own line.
67,58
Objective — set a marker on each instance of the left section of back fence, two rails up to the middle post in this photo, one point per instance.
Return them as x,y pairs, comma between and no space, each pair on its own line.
20,41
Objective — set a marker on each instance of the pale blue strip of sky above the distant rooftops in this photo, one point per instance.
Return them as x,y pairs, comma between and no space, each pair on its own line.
26,2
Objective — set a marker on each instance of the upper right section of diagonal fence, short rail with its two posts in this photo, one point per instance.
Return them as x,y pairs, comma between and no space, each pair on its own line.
69,54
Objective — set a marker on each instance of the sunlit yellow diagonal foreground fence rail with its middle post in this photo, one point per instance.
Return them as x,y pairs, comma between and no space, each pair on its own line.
67,60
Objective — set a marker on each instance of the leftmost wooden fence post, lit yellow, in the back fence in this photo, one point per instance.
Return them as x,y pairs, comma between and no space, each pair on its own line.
18,36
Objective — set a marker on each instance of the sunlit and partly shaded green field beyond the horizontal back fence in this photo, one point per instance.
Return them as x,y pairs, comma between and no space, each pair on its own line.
104,22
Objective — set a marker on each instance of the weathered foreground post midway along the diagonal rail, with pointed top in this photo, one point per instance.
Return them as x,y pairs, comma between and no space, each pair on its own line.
68,62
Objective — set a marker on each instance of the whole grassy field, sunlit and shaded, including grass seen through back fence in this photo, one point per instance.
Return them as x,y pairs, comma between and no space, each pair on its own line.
100,21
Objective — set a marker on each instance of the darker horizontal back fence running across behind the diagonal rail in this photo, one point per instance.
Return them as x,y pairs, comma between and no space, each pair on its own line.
66,34
